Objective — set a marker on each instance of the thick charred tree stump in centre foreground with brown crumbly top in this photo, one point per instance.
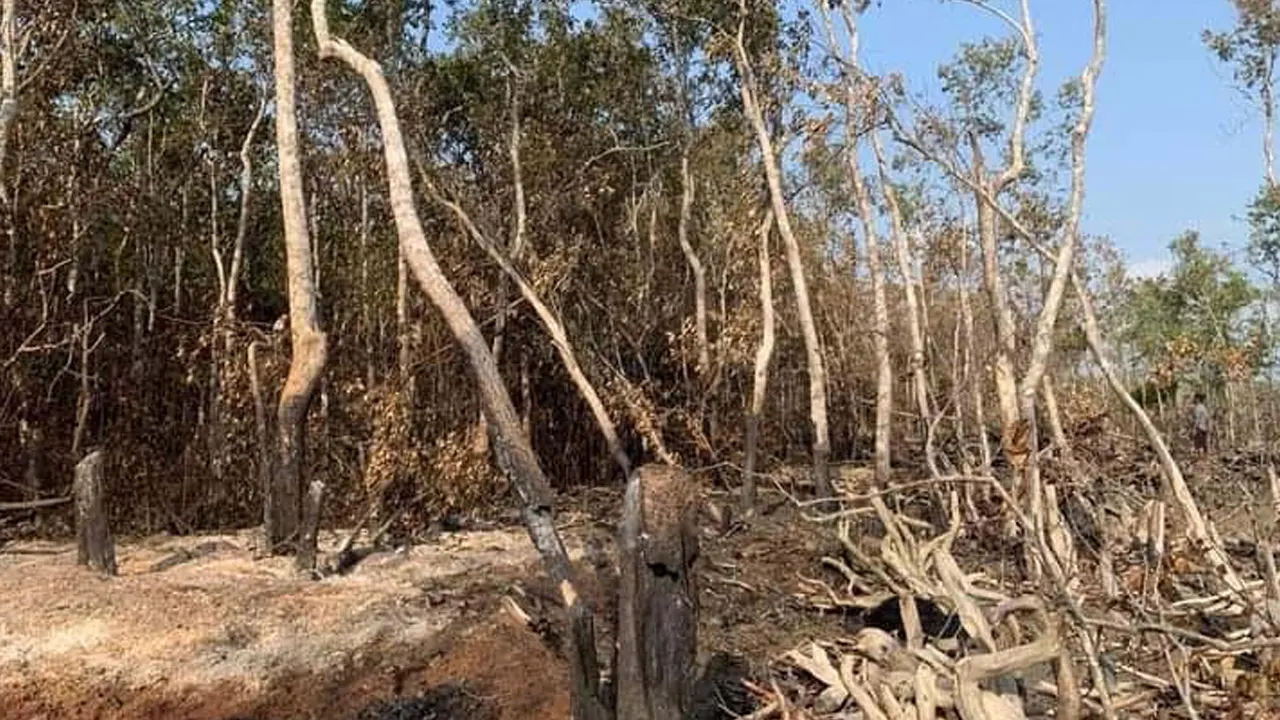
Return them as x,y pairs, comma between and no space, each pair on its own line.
657,596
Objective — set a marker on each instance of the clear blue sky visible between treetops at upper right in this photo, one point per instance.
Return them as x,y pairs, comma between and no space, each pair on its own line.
1174,147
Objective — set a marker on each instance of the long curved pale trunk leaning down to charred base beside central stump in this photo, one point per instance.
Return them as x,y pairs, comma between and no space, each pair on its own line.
515,455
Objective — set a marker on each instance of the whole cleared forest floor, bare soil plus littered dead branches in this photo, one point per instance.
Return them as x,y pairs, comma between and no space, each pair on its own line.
804,613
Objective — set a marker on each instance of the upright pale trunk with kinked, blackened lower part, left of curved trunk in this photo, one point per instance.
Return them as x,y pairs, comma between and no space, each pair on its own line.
309,344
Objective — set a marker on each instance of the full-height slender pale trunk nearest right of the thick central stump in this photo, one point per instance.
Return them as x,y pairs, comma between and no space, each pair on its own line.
808,327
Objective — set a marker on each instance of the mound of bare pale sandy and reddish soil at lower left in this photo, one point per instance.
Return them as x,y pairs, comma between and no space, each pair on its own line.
230,635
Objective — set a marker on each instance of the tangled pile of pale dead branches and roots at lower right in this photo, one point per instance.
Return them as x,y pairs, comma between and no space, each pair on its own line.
1133,622
